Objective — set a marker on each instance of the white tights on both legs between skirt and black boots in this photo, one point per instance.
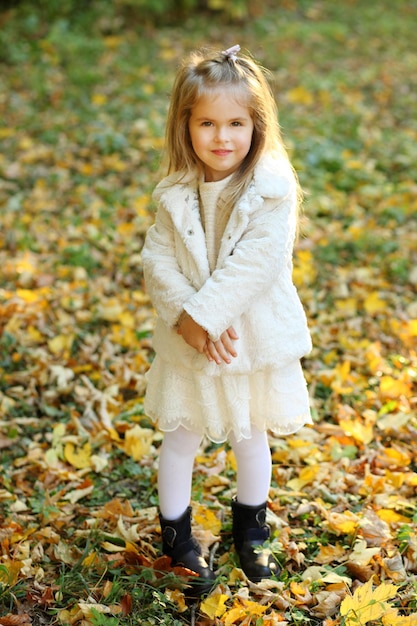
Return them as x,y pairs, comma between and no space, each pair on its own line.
176,462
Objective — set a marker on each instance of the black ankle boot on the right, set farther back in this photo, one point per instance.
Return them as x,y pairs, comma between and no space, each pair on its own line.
249,534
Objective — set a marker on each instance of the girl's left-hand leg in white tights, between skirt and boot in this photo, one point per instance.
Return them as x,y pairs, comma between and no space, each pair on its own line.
176,461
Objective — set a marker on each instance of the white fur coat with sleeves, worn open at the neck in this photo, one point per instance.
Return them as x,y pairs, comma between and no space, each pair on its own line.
251,287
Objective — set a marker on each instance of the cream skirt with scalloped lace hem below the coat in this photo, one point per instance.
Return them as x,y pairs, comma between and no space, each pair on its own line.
214,406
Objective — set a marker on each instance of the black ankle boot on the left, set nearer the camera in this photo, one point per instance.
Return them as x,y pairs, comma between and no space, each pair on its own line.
179,544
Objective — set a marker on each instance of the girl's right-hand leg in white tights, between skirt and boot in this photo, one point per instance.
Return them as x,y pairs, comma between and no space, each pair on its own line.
254,466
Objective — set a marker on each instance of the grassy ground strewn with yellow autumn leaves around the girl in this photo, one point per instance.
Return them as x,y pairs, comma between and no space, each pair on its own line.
82,105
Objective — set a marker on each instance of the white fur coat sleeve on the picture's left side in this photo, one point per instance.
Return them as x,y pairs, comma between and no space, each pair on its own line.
167,287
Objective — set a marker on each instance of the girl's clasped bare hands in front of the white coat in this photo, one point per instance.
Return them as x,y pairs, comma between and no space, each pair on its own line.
220,351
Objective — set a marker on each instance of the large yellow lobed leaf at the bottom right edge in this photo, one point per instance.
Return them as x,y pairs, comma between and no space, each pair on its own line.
367,604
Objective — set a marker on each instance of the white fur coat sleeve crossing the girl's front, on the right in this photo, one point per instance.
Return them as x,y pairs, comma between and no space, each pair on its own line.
257,260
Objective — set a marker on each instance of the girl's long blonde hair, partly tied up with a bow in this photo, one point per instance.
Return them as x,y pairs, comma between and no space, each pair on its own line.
205,72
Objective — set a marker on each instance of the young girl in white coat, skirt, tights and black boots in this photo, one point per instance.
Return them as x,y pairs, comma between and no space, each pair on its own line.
230,330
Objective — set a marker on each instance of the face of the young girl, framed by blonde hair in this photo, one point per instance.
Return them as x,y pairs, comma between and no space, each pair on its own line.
221,133
